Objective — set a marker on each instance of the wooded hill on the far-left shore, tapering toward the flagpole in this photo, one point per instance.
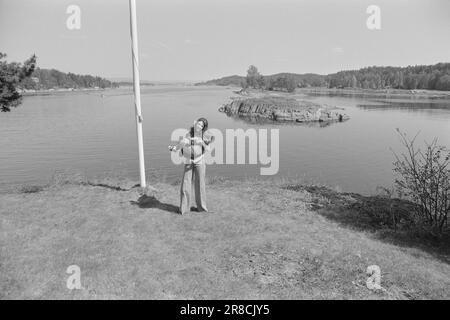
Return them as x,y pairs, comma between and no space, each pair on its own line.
43,79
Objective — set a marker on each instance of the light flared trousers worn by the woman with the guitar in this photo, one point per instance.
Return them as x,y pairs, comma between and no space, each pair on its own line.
193,176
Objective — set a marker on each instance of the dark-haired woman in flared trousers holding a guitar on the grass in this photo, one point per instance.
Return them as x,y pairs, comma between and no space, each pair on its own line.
193,147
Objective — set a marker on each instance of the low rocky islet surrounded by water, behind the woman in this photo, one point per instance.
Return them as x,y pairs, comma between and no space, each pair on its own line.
282,109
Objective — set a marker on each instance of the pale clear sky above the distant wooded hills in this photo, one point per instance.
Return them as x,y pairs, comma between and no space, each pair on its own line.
195,40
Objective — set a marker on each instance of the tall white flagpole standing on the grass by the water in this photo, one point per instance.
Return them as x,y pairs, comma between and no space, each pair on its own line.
137,89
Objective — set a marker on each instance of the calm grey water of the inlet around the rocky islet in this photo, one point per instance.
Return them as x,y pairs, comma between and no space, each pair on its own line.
95,135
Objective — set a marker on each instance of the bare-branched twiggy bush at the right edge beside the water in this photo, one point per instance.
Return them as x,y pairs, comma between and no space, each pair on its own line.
424,178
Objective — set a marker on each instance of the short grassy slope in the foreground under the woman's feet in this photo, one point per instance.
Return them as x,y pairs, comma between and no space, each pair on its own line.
252,246
